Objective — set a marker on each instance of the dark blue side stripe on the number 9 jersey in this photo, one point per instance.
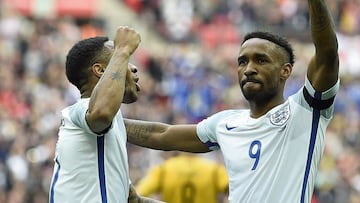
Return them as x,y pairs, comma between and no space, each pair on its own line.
314,128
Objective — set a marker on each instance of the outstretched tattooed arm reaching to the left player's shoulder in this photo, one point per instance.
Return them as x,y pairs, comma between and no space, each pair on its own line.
162,136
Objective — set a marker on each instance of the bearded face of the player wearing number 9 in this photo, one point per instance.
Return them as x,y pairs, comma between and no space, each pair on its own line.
259,65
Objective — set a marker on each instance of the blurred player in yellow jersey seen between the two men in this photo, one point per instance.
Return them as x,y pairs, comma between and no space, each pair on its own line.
186,178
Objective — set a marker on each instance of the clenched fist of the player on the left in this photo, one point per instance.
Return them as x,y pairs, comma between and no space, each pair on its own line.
127,39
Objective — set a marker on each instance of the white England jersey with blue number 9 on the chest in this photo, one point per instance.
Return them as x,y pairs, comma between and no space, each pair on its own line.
273,158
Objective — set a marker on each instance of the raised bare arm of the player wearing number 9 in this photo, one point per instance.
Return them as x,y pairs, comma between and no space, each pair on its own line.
323,68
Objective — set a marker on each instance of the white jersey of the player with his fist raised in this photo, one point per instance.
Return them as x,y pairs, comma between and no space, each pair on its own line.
89,167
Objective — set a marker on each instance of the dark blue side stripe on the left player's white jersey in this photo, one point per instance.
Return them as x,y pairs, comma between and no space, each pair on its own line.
100,146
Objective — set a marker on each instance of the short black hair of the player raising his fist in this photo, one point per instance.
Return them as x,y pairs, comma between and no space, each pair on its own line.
81,56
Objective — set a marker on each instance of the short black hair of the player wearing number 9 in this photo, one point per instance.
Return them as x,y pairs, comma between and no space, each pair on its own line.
279,40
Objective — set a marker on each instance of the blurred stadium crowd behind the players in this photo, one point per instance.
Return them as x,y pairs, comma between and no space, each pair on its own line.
187,67
